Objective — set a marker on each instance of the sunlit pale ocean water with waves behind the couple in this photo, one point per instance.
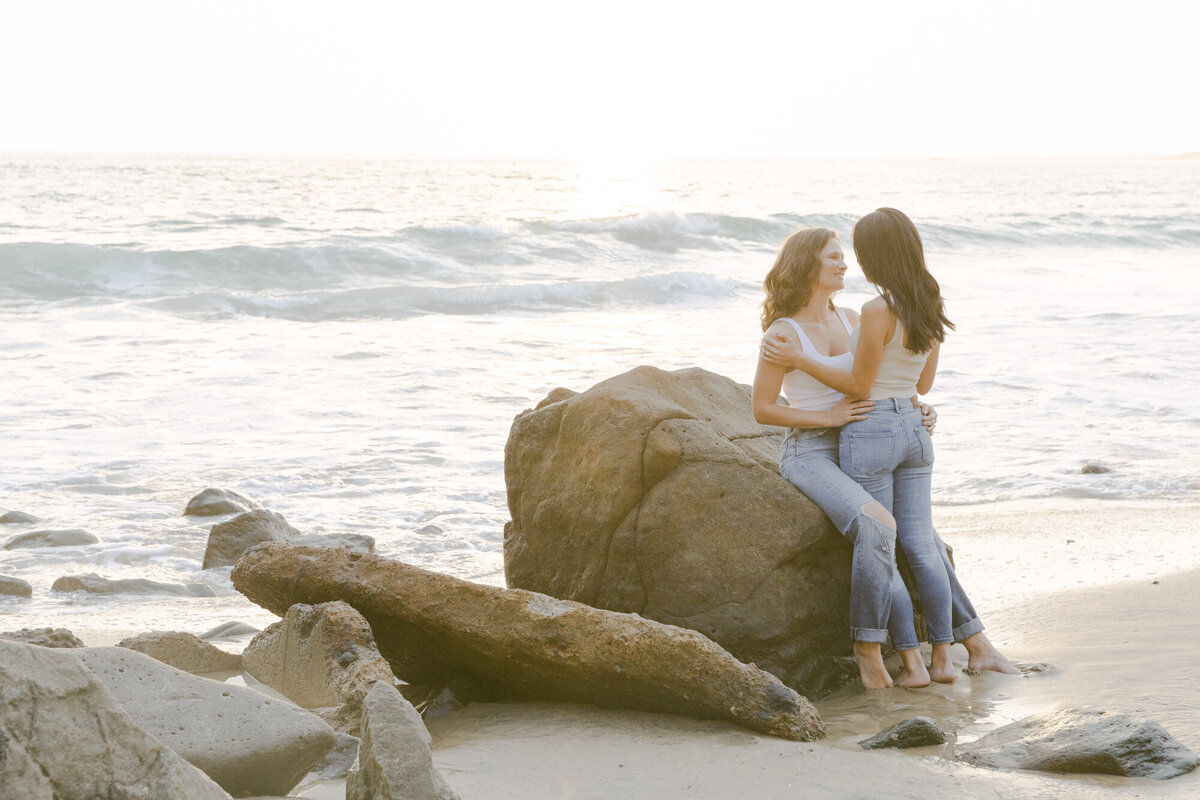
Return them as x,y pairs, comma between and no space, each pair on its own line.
347,342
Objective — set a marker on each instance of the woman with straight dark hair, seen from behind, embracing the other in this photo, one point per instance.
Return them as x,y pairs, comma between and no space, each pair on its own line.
887,450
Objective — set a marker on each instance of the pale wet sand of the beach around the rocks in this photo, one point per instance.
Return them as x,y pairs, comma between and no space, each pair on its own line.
1124,647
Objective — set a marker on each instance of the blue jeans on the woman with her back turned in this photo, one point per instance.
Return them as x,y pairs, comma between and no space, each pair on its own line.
891,456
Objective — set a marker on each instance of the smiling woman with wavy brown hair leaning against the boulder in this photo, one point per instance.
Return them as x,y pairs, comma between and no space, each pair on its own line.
809,269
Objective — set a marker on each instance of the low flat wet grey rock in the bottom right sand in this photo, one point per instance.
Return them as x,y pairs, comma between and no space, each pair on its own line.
1083,741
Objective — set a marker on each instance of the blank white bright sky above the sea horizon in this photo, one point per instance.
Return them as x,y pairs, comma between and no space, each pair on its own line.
602,80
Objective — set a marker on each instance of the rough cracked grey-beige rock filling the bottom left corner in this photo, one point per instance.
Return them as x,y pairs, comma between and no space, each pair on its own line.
61,729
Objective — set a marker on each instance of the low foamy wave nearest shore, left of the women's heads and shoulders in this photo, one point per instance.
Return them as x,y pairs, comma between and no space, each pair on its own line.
405,302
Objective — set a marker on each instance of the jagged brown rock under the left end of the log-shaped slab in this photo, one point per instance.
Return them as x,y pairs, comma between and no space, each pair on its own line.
322,658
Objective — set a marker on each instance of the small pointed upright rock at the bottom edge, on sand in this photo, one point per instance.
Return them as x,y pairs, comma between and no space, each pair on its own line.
395,760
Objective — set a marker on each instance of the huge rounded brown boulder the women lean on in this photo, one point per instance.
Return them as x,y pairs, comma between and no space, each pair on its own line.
657,494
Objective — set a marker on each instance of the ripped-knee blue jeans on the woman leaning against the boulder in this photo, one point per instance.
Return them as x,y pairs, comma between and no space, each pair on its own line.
879,600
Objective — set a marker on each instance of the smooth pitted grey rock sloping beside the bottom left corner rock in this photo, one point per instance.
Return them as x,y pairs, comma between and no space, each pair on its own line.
245,742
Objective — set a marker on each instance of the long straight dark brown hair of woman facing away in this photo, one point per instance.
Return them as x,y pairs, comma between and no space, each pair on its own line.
890,251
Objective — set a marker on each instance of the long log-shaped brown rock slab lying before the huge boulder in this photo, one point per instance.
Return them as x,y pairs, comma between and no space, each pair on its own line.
490,643
